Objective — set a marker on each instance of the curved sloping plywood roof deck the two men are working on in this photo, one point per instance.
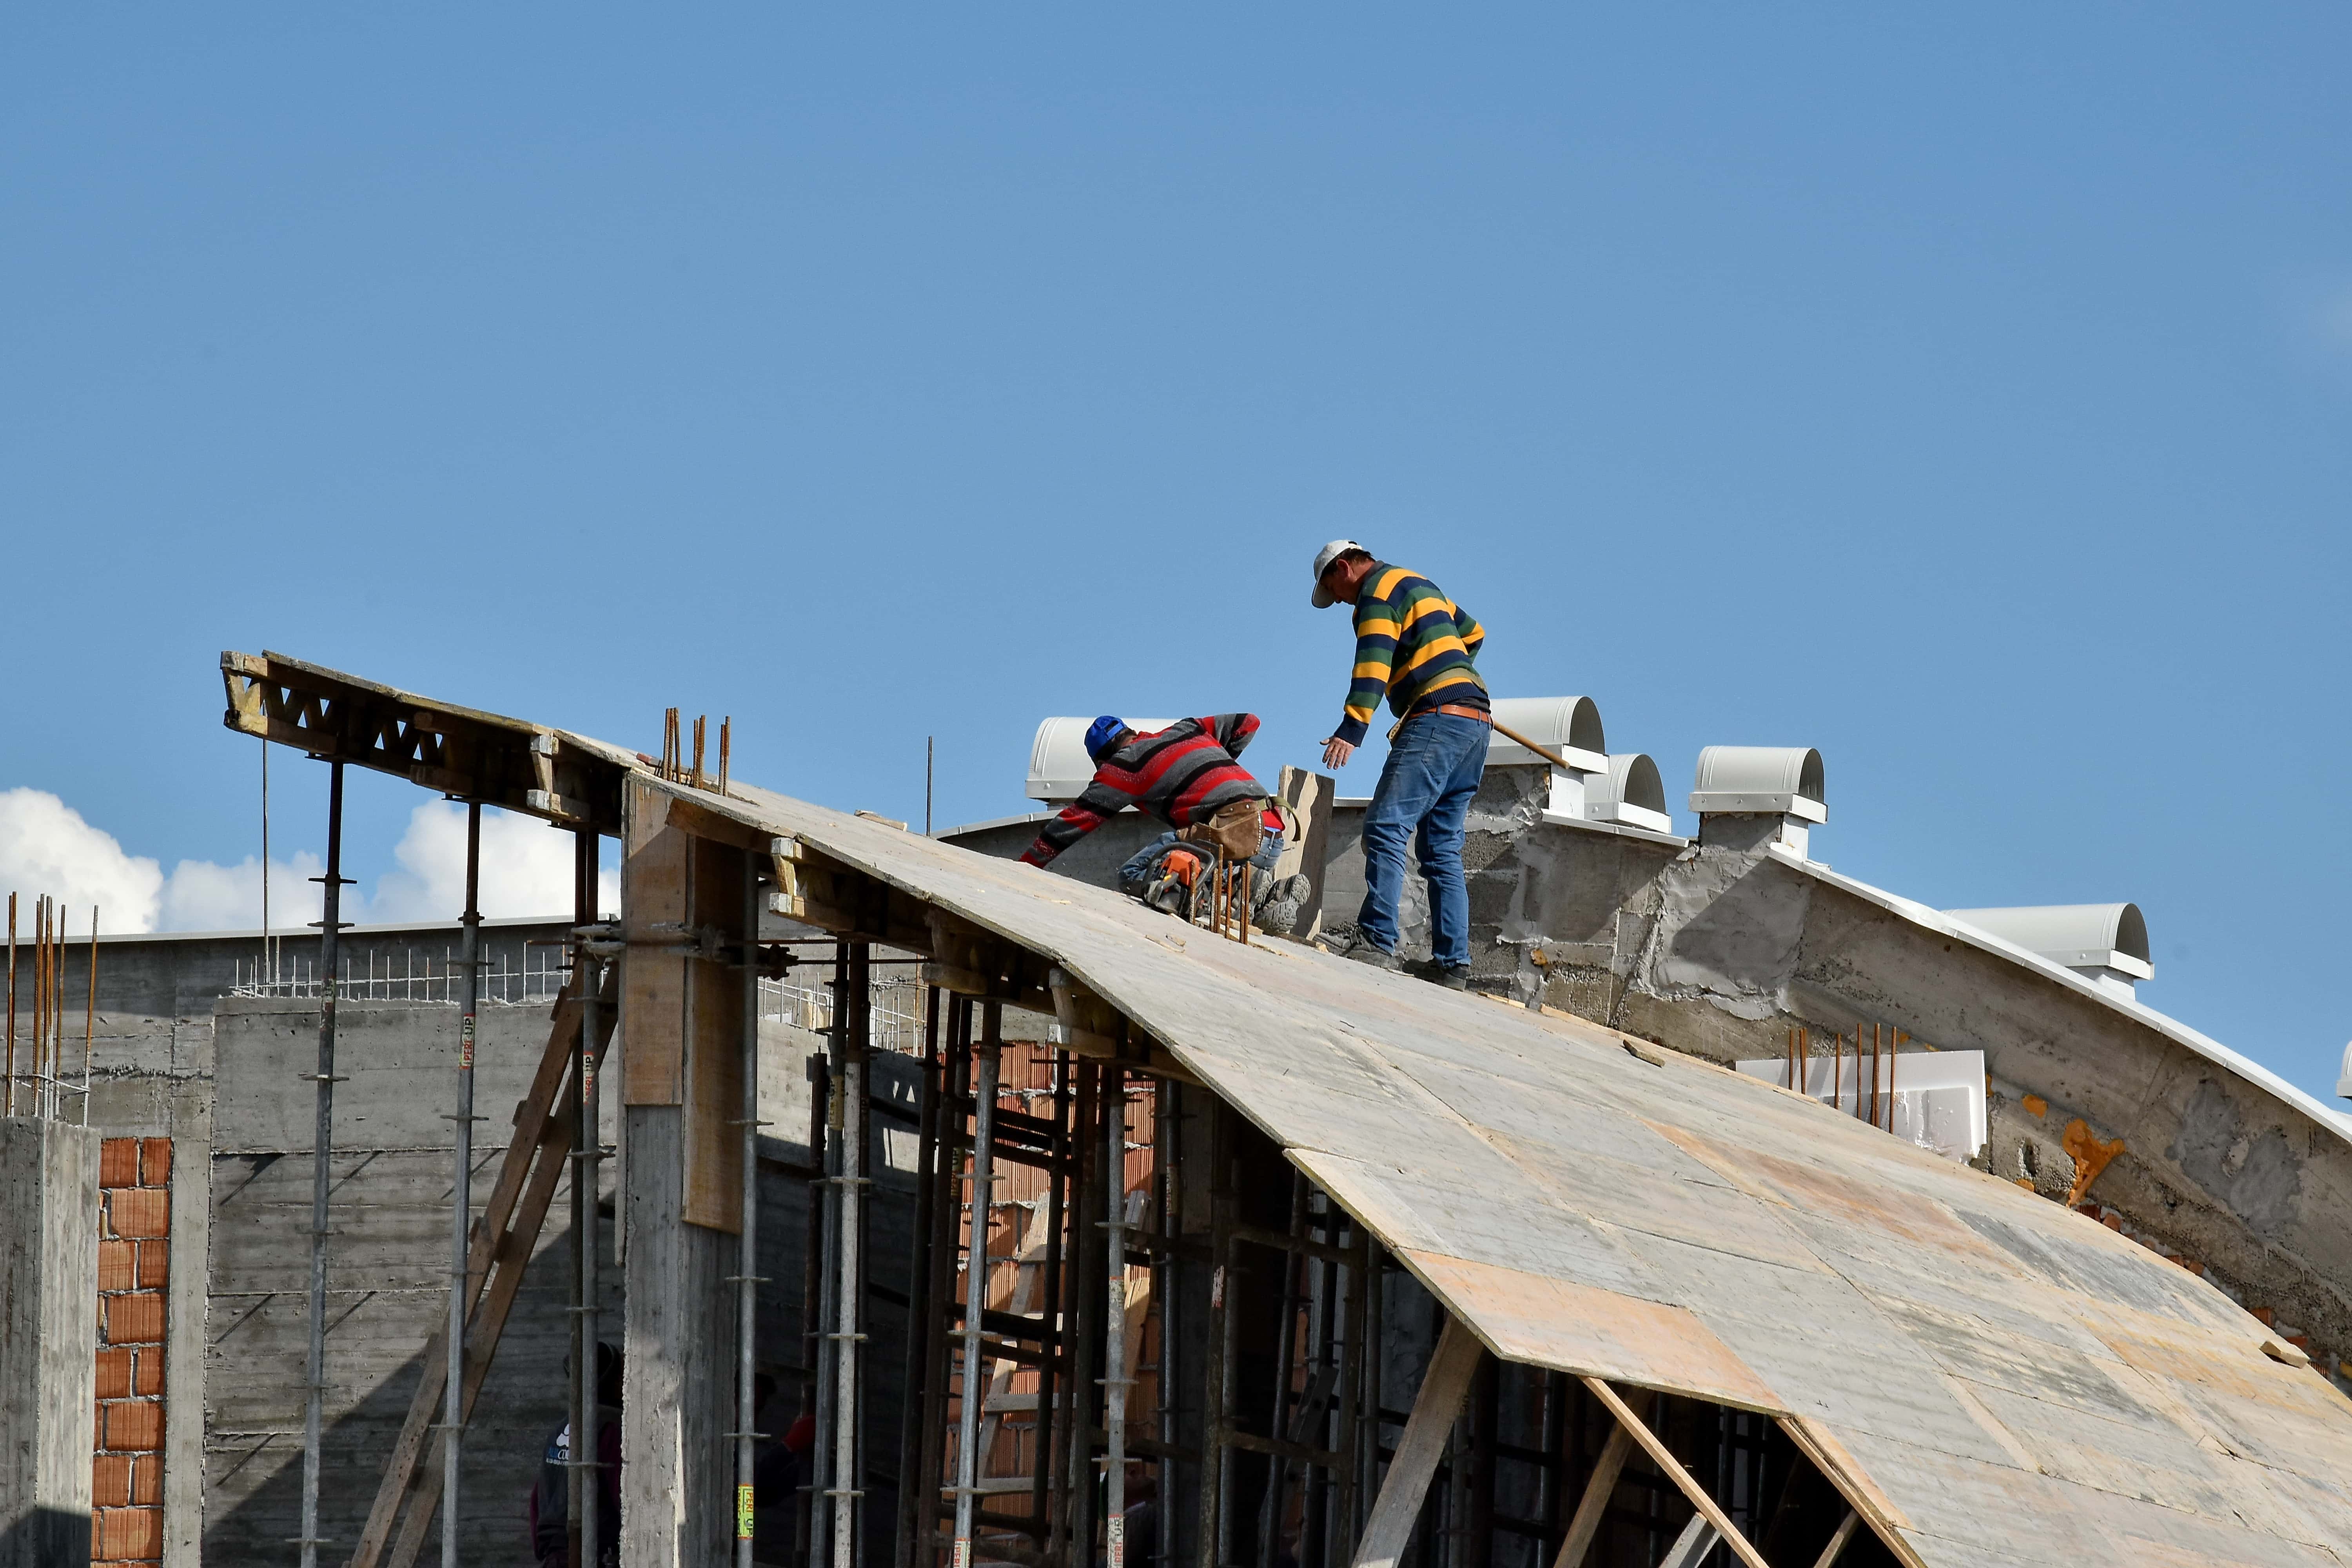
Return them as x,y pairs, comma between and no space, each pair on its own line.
1993,1376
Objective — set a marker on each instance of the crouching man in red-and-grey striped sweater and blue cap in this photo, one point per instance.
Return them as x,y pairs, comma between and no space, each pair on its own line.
1189,779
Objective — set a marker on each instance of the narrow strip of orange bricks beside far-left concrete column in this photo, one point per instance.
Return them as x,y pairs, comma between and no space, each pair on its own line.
135,1259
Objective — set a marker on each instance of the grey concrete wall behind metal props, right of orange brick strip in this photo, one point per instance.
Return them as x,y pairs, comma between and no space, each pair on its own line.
387,1271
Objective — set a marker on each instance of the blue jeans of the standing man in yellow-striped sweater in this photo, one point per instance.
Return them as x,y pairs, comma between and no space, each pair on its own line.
1424,798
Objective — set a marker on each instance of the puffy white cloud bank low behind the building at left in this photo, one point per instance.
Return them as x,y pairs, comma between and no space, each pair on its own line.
46,847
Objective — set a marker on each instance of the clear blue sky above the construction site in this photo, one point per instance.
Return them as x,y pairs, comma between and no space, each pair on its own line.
1963,396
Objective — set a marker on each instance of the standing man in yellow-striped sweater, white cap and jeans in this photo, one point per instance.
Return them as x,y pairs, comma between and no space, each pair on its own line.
1419,650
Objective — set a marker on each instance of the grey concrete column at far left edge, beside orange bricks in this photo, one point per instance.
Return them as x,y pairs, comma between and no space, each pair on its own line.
48,1339
